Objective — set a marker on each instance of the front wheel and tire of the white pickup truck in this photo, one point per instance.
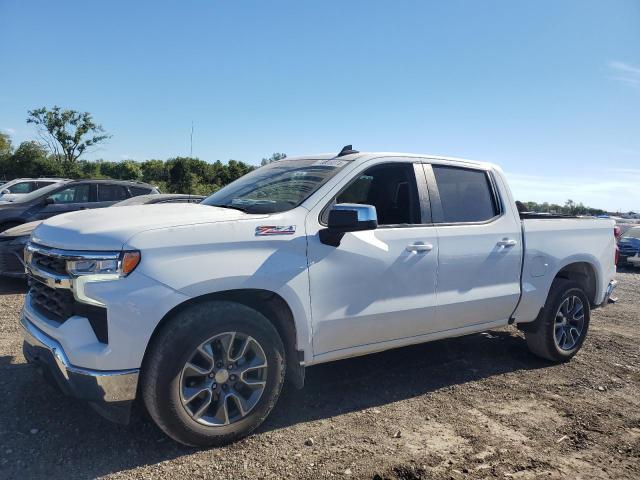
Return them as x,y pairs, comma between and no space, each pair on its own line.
167,383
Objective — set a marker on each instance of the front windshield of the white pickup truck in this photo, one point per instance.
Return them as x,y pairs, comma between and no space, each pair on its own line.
276,187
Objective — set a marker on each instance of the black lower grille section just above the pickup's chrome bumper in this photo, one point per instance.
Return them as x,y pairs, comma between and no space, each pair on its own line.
59,304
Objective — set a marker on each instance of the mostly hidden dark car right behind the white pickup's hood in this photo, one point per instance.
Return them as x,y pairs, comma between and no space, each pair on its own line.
13,240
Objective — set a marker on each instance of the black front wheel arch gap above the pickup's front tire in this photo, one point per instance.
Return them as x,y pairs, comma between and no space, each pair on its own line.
269,304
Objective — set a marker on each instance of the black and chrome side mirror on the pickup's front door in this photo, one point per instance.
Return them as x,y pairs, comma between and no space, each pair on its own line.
348,217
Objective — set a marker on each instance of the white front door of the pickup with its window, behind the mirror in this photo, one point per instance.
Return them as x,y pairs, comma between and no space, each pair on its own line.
379,285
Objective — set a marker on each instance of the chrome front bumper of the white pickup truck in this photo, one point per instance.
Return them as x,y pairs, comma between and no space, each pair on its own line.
110,392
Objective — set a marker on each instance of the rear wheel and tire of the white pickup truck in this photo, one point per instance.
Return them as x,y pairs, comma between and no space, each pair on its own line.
541,335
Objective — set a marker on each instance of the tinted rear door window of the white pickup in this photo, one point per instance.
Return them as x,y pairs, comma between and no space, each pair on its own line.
466,194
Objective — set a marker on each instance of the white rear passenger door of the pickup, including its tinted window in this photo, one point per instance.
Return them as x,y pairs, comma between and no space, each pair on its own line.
480,250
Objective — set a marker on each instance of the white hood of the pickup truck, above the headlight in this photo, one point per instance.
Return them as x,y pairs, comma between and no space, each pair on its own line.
110,228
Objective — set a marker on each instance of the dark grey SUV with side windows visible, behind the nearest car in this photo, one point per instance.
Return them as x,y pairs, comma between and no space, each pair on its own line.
68,196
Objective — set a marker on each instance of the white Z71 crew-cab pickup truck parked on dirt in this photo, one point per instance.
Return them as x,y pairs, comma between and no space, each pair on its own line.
203,310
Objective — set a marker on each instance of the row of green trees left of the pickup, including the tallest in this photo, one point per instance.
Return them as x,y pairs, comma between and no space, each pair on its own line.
67,134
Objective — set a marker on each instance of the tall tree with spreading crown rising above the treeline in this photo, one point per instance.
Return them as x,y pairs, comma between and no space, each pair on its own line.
67,133
